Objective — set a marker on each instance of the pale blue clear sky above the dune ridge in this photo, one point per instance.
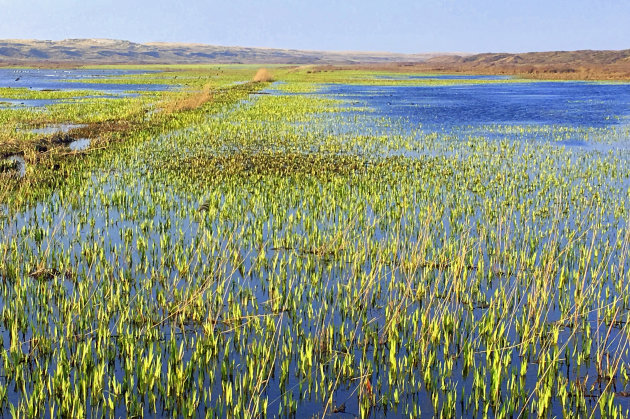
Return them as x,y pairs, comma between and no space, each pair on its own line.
366,25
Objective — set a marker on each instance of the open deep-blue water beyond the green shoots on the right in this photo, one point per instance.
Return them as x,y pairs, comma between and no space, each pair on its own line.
444,108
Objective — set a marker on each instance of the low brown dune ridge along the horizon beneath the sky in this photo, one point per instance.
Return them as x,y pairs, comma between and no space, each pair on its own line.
585,64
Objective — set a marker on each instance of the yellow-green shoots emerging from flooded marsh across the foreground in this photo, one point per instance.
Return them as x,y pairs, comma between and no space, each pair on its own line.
221,249
